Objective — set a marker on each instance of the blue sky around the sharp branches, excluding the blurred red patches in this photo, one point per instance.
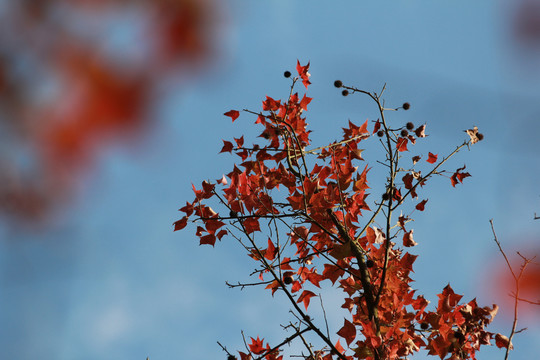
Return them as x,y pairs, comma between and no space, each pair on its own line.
110,280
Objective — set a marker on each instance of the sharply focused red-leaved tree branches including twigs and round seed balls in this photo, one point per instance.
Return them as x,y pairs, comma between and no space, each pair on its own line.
306,216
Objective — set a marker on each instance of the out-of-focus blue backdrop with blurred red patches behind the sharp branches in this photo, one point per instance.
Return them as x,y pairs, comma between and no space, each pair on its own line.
110,109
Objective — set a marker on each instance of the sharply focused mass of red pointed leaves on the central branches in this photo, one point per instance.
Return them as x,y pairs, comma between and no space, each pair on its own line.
322,204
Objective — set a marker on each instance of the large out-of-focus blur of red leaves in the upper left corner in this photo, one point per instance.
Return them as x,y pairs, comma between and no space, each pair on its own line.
96,97
